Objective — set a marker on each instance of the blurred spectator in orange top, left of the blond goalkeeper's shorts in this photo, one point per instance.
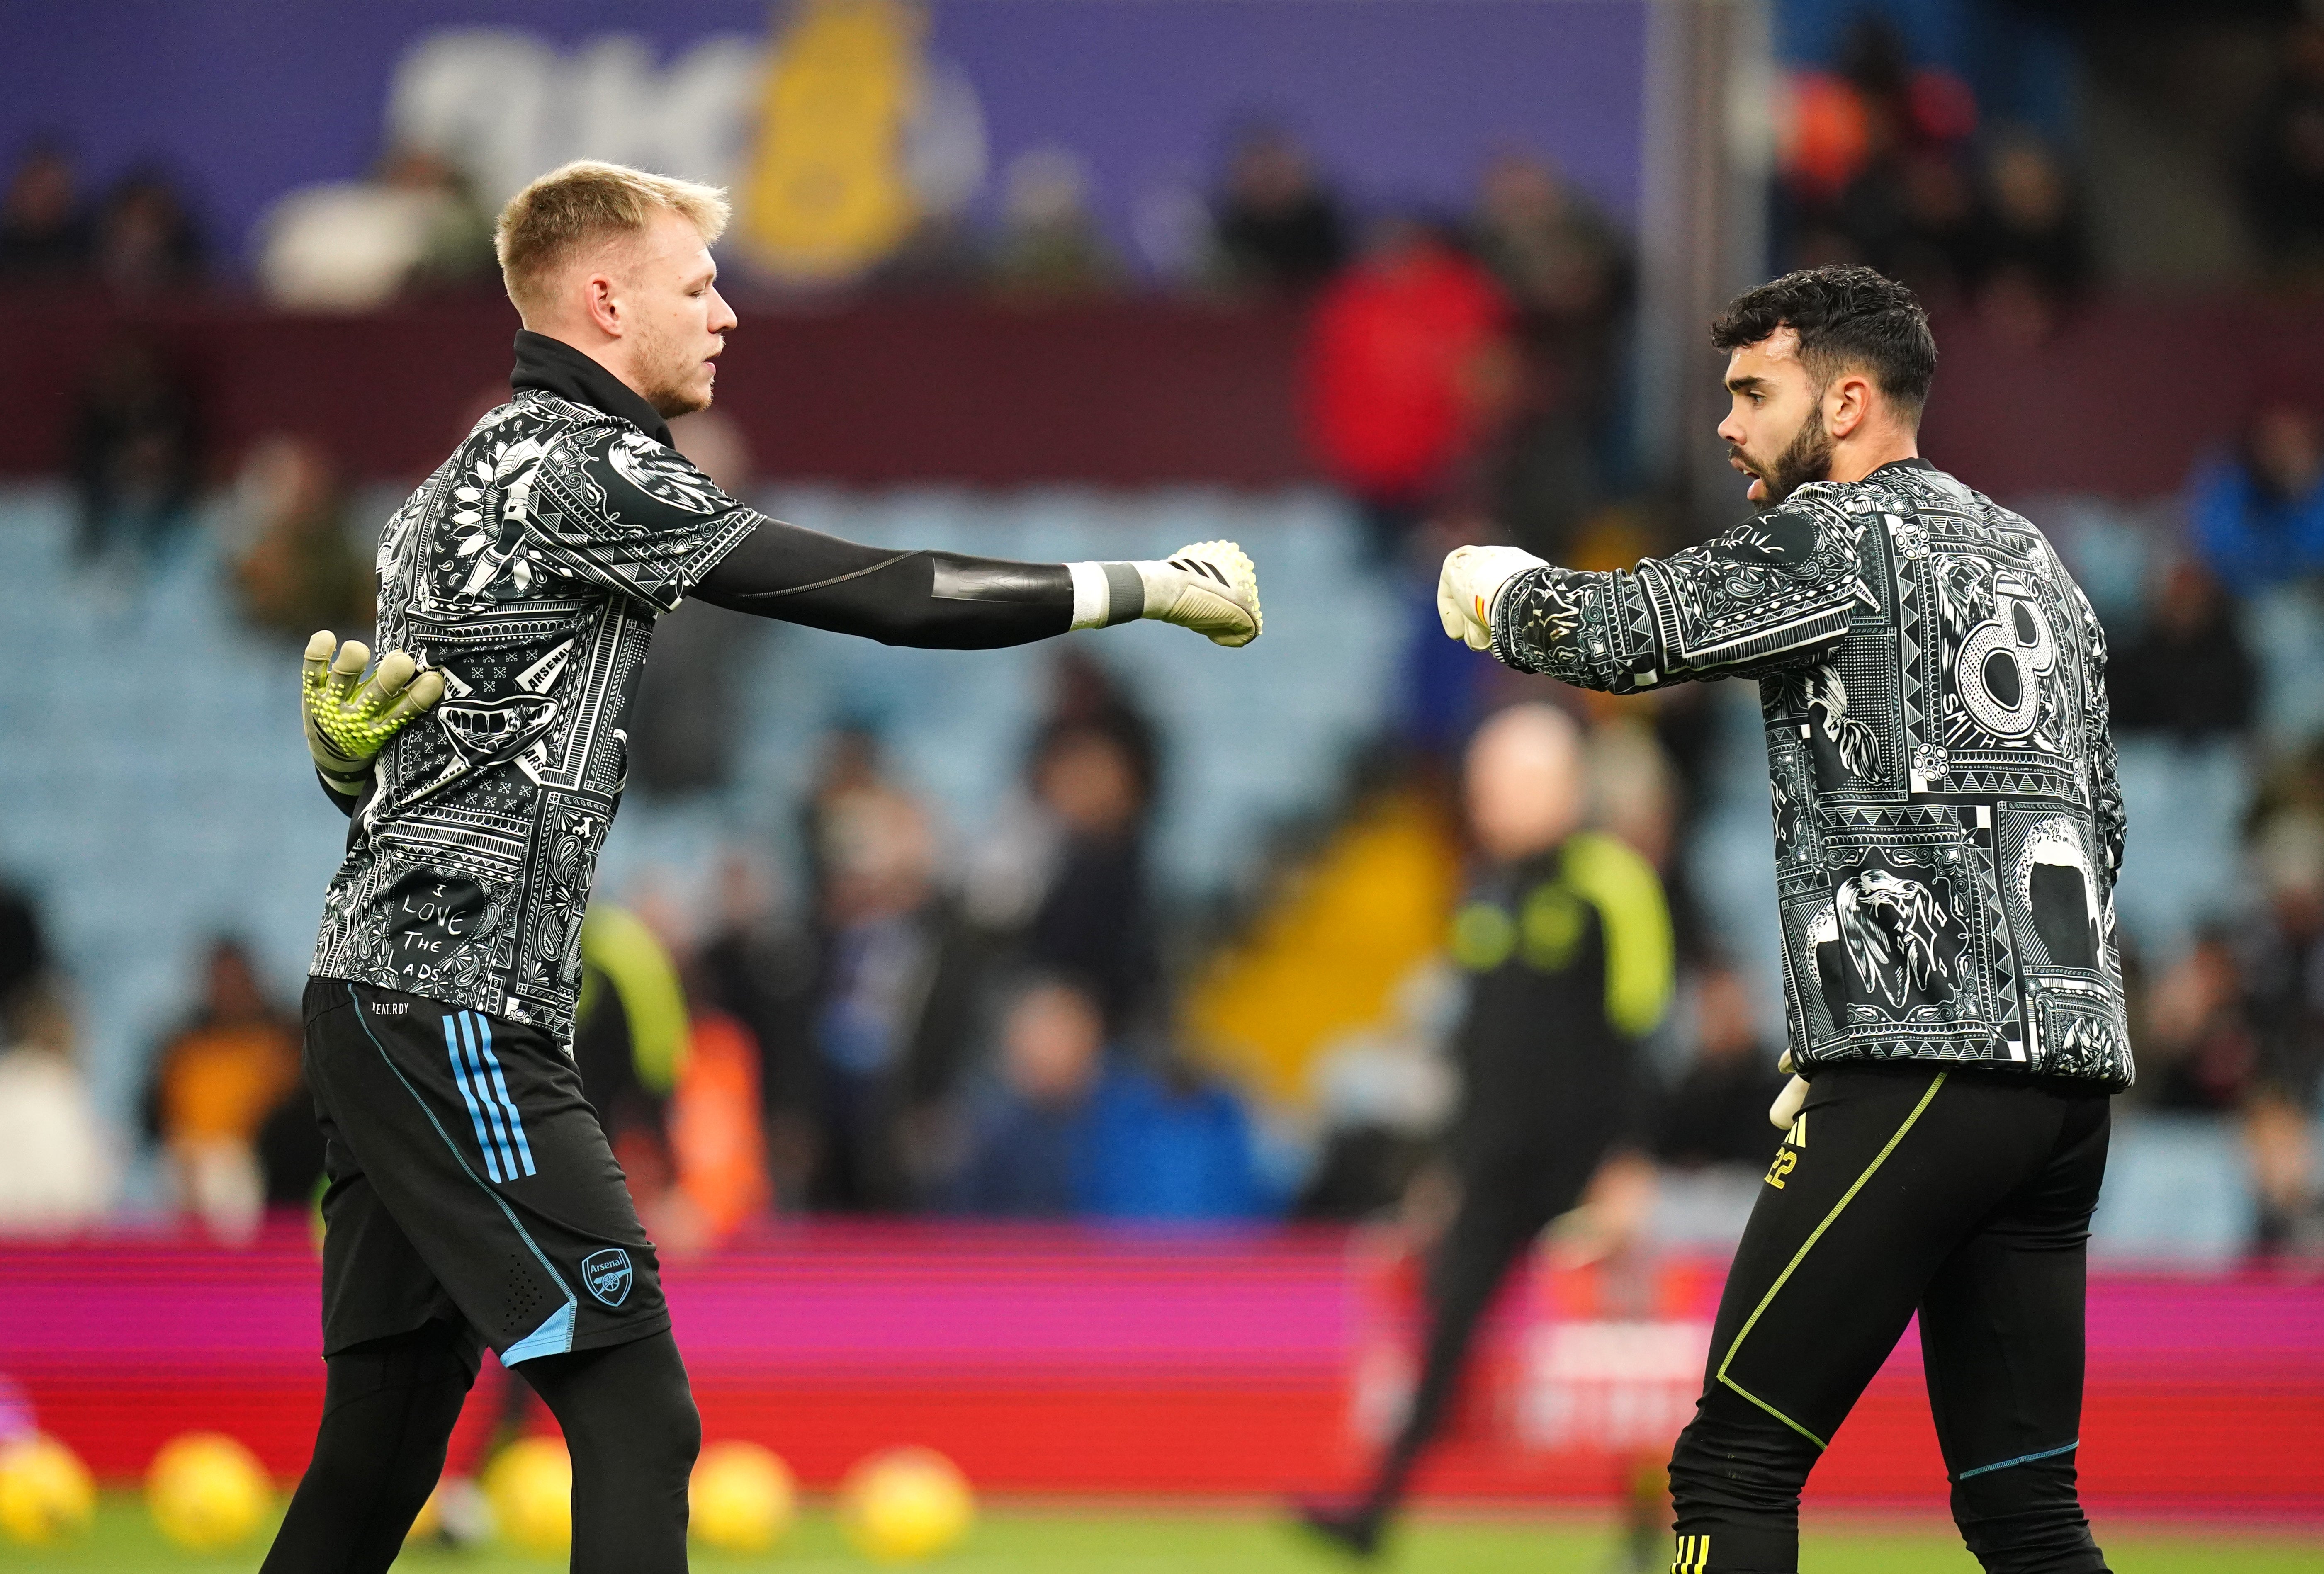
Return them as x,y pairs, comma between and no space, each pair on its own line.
215,1085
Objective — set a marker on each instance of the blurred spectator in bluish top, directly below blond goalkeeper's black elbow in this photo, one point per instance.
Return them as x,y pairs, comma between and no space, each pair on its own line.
896,996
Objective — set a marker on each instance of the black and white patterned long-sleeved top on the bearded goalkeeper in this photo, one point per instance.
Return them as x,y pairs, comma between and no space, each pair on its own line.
1944,782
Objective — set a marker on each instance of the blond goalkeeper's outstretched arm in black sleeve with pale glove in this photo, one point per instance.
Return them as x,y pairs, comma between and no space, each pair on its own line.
952,601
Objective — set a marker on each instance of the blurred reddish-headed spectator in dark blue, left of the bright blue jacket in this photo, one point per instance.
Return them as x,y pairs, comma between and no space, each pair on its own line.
1031,1145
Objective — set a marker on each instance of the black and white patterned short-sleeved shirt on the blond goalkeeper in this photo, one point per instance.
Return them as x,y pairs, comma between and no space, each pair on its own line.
529,571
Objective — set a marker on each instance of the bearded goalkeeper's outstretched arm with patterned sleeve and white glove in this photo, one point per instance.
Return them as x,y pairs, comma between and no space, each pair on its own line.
1772,592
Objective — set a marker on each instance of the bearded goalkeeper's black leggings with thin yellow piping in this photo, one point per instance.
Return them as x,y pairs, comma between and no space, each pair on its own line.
1963,1196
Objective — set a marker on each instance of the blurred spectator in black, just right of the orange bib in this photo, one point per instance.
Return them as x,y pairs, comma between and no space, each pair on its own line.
761,973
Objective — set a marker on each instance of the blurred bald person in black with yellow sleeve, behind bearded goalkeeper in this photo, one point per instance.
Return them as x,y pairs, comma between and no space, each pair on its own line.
1568,947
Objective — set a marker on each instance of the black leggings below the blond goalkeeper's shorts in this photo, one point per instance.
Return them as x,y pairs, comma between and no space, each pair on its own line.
389,1410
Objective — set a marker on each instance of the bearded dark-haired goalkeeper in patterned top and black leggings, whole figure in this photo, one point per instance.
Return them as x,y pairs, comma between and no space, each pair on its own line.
1949,1152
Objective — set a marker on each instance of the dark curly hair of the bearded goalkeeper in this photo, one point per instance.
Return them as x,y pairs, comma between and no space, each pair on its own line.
1844,317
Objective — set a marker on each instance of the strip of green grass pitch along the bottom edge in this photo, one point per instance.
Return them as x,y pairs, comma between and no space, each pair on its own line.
1021,1540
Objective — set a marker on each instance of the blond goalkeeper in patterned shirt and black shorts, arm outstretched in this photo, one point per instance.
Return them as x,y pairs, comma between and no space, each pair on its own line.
473,1199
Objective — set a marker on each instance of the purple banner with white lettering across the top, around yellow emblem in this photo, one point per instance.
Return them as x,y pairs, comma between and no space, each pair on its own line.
1403,101
